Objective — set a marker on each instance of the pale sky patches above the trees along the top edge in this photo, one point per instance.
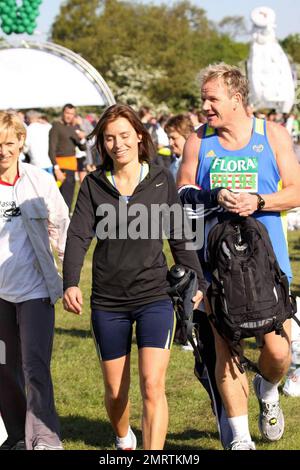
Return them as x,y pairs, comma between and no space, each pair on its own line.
287,12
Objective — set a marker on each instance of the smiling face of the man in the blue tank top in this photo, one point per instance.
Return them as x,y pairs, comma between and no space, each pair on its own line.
217,106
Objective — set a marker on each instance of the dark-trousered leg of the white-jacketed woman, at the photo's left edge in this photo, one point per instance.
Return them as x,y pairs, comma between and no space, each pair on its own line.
12,390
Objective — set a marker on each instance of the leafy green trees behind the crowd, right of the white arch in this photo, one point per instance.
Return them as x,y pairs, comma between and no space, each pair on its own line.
176,40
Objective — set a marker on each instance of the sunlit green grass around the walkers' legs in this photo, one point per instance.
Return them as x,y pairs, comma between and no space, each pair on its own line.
79,389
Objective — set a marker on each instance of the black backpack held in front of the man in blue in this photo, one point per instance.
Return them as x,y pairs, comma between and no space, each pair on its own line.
249,294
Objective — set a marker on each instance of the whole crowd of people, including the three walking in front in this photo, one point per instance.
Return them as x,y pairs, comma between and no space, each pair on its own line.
129,162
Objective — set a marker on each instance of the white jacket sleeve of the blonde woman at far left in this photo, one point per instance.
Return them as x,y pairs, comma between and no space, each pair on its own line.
46,219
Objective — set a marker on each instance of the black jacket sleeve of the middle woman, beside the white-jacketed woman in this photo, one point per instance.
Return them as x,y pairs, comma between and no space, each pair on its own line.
80,235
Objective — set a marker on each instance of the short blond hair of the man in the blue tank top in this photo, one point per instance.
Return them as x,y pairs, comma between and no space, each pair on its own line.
232,77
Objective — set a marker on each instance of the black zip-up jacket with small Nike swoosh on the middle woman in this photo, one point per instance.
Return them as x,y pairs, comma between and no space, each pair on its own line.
127,272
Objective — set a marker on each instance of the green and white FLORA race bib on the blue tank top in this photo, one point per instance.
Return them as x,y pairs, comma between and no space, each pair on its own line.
235,173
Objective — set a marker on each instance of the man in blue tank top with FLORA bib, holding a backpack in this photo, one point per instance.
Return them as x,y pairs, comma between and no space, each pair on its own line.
236,164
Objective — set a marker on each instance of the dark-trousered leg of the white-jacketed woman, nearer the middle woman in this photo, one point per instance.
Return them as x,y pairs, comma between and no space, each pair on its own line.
36,320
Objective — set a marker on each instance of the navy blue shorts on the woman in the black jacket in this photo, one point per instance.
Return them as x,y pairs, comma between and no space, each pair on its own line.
155,327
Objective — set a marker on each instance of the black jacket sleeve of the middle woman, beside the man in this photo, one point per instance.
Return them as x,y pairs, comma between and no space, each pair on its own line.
180,245
